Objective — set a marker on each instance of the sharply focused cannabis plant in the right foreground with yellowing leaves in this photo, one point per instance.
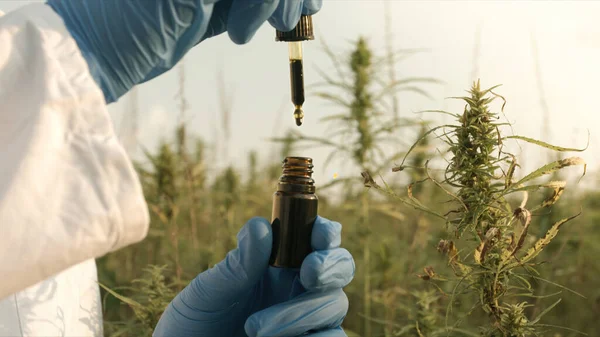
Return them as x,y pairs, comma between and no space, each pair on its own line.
488,221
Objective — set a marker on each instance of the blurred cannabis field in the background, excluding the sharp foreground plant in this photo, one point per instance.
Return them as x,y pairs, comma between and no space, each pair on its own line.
197,208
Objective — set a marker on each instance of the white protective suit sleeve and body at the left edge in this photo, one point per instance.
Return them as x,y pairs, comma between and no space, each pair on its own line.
68,191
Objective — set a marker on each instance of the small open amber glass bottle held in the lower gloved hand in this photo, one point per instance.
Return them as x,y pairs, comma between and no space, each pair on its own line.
294,212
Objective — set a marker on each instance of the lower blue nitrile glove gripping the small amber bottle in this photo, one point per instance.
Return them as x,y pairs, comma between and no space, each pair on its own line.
243,296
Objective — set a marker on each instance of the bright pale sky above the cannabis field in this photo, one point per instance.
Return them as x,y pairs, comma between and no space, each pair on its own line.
256,75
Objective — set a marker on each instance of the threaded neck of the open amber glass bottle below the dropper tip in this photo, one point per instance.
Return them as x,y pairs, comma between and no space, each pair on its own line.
297,175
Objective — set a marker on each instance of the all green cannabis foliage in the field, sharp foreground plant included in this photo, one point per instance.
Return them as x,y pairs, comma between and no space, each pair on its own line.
505,247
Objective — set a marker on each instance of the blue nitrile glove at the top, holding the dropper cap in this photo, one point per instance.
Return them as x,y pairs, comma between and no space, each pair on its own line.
127,42
